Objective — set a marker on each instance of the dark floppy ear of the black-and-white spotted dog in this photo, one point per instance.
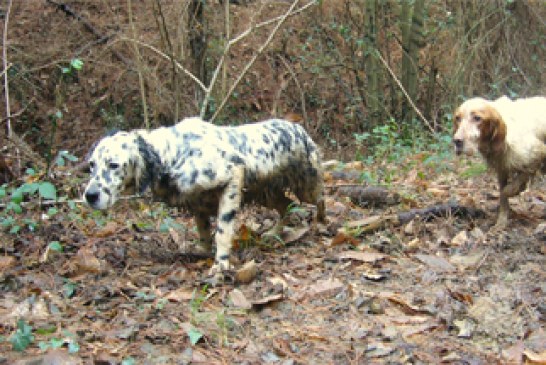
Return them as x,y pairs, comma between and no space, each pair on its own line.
148,166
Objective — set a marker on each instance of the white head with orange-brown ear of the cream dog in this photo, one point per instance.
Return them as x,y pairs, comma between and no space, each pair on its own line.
478,126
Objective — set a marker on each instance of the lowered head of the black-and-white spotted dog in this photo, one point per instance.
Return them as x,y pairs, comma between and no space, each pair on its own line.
115,165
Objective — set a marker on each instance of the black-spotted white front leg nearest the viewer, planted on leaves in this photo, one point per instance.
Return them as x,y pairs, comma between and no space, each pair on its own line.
229,205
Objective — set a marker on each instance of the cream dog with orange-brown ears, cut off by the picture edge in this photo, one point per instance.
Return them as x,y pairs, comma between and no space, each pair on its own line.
510,135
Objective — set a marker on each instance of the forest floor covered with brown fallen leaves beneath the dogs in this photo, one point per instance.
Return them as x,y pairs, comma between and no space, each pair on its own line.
118,287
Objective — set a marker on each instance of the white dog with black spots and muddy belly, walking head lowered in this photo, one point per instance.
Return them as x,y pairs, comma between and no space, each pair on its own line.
210,171
